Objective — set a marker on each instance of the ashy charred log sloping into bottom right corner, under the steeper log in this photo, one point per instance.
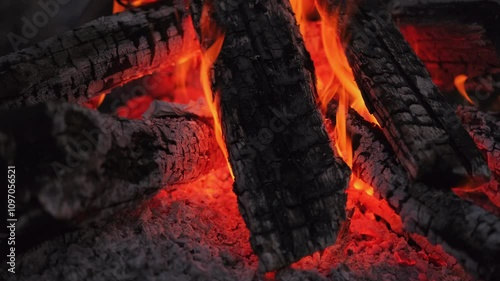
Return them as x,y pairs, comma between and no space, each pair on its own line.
467,232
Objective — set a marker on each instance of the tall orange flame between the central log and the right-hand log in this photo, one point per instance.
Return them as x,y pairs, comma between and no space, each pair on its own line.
338,81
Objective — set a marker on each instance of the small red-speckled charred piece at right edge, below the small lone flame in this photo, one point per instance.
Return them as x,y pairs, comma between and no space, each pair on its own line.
484,128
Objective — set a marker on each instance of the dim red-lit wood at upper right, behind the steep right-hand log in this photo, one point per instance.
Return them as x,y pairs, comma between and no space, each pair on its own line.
449,48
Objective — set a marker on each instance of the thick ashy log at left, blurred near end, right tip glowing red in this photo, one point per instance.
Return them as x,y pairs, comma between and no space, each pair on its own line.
77,166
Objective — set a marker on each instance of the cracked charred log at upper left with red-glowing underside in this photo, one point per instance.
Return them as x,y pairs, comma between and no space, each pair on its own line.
85,62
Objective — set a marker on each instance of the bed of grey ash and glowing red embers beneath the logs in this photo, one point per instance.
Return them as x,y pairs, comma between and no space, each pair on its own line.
195,232
